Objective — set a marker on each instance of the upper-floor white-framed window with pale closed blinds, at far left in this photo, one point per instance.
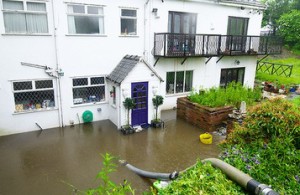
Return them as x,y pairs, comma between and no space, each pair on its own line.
25,17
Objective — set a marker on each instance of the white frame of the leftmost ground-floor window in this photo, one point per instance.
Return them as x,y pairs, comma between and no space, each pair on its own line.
45,105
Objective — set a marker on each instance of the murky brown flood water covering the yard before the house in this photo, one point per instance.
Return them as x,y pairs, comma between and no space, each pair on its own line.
45,162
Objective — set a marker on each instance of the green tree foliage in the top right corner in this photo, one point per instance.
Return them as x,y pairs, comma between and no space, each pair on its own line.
289,28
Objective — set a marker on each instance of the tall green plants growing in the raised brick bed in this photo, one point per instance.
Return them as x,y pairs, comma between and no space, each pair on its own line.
233,95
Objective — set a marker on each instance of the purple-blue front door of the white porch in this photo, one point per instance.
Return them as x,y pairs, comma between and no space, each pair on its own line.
139,93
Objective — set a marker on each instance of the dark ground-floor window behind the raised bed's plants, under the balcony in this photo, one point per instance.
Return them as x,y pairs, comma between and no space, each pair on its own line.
229,75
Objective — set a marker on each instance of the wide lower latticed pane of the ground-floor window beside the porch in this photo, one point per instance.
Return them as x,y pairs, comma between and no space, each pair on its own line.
88,94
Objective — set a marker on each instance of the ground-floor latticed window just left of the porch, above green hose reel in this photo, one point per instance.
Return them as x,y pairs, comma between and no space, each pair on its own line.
88,90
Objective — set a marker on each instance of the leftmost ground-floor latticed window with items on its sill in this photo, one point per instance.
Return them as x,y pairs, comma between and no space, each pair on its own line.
33,95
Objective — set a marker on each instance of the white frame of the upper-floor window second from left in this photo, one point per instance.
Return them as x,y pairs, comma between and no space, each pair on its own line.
86,14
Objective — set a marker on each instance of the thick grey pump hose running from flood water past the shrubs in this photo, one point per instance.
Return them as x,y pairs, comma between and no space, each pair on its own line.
244,180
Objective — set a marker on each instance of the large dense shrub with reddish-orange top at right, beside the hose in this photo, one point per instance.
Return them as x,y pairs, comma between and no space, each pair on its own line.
266,146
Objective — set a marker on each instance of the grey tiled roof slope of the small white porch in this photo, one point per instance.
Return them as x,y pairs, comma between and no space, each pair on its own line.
123,68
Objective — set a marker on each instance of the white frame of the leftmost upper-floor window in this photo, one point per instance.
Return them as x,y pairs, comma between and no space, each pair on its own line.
26,11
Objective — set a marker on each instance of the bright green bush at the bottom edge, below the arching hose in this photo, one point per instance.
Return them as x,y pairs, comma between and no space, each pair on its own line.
202,179
